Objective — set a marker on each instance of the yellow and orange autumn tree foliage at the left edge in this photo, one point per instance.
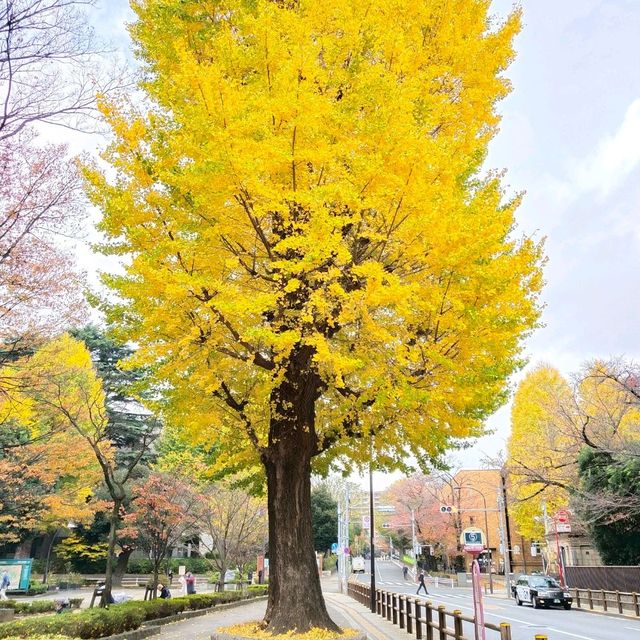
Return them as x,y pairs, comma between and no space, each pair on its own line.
48,472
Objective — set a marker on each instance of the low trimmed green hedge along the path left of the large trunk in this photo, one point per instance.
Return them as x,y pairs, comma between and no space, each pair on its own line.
97,623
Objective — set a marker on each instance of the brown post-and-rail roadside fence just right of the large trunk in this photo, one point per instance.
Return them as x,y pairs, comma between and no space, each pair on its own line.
422,619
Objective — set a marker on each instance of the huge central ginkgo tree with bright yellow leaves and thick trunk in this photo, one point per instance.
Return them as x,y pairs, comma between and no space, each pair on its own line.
314,255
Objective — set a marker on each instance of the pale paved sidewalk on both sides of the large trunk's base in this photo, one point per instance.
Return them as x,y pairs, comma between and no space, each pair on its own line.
345,611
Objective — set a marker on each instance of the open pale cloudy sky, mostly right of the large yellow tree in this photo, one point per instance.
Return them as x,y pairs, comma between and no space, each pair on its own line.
570,138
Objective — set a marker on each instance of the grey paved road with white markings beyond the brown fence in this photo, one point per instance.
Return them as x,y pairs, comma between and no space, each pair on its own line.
525,621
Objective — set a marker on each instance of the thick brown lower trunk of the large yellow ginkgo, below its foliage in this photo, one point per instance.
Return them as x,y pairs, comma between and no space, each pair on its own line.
295,595
